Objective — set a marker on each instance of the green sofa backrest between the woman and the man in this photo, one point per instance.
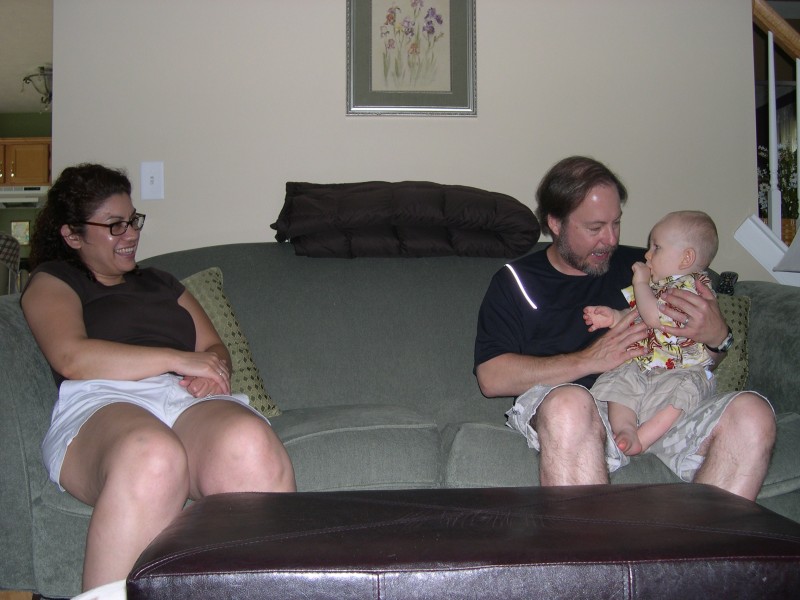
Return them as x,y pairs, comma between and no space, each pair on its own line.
331,332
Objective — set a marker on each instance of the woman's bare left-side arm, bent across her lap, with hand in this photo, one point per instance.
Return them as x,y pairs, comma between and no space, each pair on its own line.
55,315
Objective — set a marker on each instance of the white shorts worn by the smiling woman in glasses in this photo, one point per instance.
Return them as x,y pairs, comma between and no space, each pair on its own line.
78,400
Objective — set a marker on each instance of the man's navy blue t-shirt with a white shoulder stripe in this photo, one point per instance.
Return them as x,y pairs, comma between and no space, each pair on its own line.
509,323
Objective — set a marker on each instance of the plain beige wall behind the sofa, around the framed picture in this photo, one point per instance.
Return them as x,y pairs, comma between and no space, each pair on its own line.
239,97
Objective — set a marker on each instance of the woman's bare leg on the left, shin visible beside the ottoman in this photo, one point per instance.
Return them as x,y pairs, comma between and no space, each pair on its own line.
133,470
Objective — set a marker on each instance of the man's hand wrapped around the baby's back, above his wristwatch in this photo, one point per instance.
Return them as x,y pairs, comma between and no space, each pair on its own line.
697,315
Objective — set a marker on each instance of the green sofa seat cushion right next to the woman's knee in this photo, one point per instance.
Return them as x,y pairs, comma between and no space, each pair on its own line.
360,447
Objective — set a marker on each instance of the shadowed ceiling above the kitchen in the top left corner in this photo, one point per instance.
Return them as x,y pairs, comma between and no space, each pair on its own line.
26,42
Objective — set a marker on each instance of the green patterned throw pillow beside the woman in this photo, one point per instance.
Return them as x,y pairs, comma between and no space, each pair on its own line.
206,287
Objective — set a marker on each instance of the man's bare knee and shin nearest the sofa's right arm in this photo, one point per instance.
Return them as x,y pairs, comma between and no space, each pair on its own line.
738,450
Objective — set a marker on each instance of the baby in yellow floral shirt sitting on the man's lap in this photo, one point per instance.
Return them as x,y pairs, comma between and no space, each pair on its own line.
647,395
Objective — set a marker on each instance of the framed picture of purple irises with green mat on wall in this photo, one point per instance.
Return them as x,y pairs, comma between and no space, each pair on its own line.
411,57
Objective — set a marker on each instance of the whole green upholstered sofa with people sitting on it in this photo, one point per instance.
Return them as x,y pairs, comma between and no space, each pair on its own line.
370,362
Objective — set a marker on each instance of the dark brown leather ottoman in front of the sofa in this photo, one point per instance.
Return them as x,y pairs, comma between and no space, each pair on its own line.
616,541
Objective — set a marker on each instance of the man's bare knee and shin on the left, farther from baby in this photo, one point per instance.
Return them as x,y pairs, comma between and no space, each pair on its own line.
572,438
